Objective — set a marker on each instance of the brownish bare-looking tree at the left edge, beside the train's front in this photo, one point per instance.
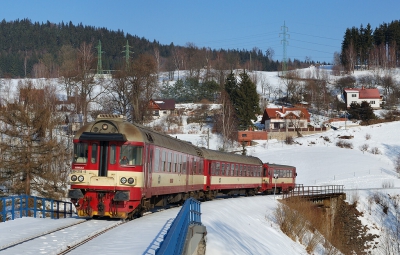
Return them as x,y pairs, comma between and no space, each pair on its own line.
34,159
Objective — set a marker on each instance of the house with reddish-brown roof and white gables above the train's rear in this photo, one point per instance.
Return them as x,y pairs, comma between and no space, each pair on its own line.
283,117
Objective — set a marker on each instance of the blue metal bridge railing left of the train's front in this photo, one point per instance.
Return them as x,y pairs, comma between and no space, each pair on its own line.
29,206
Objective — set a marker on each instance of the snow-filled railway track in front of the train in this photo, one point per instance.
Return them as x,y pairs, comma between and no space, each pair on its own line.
61,240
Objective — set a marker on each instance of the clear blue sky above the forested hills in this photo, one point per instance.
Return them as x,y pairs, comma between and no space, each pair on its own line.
315,29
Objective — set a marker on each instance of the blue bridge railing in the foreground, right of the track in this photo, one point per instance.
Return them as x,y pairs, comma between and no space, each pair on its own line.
174,240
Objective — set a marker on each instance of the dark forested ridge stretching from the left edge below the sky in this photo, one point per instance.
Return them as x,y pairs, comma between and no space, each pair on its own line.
26,48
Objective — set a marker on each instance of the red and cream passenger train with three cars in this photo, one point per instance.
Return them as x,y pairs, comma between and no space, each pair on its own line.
122,169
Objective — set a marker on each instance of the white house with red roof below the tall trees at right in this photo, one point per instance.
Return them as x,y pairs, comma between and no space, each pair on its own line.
372,96
